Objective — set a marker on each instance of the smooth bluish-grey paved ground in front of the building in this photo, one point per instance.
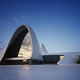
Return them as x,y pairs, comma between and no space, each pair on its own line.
40,72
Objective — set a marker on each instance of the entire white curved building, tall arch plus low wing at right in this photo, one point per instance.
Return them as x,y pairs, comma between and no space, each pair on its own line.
22,47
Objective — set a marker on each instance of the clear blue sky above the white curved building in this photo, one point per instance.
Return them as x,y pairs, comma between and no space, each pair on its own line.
55,22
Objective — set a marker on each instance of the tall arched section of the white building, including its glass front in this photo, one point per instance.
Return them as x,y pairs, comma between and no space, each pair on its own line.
23,45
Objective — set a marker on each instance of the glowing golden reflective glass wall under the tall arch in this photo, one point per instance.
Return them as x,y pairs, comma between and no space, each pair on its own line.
26,47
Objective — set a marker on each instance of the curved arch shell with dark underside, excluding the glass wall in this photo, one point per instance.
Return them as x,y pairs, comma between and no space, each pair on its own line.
15,41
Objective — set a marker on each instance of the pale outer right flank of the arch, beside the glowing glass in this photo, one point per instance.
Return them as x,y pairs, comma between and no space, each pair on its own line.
36,54
